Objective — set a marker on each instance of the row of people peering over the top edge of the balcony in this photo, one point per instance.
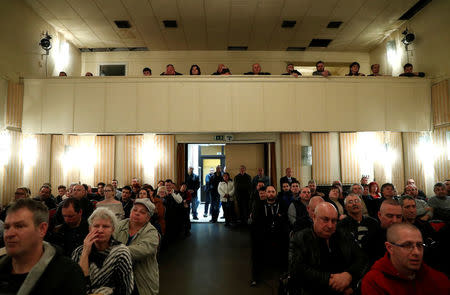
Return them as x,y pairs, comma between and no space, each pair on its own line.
290,71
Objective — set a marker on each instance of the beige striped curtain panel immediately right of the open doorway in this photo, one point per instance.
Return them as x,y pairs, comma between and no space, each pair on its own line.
291,154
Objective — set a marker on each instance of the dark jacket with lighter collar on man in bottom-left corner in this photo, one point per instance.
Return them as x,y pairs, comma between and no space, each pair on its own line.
53,274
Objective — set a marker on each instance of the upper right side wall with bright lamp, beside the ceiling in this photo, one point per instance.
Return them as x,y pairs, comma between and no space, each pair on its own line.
429,52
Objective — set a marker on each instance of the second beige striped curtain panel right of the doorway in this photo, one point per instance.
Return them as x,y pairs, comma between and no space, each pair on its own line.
321,166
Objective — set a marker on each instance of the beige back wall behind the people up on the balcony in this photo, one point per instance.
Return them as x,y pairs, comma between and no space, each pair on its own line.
238,62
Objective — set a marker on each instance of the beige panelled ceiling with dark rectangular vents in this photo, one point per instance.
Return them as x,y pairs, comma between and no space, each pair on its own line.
217,24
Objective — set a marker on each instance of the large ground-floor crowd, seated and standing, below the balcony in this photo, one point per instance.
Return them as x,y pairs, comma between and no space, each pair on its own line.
321,240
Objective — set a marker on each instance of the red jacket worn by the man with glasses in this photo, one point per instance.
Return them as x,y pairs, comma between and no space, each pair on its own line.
383,278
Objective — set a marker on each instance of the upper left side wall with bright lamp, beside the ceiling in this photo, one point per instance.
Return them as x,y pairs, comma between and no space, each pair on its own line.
20,53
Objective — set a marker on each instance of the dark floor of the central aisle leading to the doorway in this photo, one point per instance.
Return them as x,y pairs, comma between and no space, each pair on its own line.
214,260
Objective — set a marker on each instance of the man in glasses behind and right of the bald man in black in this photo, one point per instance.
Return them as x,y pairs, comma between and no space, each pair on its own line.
363,229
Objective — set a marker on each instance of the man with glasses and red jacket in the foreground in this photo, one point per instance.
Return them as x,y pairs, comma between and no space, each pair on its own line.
401,270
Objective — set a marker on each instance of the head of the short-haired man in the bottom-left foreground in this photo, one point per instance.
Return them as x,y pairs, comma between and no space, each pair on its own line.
25,226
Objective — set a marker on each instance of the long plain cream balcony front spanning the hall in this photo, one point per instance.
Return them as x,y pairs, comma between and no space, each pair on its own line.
225,104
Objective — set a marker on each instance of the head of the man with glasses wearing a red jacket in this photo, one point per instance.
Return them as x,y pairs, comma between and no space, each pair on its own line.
405,247
